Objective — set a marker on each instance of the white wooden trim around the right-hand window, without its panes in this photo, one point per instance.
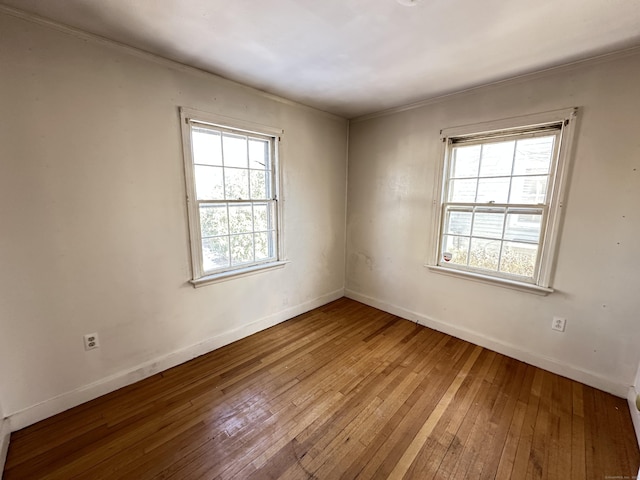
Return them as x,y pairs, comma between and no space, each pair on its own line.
551,233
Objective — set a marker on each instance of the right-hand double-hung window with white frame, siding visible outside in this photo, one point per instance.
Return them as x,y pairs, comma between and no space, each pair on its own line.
501,197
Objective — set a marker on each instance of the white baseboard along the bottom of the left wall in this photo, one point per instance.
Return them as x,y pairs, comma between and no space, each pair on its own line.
65,401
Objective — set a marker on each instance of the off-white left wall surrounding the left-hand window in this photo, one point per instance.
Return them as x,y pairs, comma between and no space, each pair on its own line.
94,226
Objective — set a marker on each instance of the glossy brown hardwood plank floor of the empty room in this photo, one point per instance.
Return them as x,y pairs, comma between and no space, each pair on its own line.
342,392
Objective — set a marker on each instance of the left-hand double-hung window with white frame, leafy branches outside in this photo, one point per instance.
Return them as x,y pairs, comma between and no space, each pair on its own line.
232,184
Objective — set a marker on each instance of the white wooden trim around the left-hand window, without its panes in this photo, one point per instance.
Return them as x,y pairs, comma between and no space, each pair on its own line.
199,278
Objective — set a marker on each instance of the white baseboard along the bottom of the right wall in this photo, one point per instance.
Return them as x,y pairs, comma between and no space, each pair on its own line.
532,358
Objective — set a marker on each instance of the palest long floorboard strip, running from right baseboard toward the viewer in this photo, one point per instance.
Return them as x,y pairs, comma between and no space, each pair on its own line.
412,451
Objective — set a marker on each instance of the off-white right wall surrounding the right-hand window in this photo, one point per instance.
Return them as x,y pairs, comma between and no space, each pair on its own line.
392,167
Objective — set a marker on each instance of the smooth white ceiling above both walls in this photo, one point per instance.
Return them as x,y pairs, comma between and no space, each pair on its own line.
353,57
